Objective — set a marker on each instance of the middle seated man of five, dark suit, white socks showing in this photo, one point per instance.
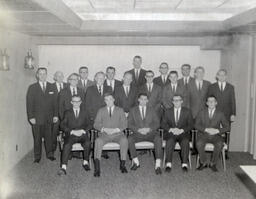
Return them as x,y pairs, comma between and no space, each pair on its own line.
144,123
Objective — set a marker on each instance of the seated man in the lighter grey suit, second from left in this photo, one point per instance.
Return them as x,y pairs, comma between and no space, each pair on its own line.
111,122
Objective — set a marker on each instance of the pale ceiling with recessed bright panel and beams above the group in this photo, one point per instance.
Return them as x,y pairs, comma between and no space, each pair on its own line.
128,17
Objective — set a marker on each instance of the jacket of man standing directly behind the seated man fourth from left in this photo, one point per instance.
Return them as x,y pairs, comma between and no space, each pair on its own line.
168,95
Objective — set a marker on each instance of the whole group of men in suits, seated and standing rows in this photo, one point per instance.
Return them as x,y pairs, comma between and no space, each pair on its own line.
141,102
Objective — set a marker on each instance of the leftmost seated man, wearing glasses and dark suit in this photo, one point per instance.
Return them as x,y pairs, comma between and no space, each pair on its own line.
75,126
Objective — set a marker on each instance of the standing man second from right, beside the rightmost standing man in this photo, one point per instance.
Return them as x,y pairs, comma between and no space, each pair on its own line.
198,91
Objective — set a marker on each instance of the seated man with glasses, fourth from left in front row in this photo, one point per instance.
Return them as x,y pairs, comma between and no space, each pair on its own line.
177,123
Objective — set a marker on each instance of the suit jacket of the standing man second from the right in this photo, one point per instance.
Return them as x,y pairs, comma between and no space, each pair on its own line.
197,99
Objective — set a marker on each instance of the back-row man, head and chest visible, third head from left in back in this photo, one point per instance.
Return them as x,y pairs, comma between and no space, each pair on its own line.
84,82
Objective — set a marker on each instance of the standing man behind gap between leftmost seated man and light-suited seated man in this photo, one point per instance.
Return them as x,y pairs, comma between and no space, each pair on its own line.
94,98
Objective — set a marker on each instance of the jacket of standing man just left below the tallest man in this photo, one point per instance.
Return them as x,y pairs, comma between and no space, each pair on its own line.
123,101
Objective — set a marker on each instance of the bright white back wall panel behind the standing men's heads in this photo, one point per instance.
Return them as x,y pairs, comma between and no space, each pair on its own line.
68,58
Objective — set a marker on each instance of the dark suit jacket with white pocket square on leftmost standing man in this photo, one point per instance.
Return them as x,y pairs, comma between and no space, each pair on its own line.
42,106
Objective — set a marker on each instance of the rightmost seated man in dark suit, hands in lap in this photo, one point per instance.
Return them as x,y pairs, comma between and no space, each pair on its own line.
211,124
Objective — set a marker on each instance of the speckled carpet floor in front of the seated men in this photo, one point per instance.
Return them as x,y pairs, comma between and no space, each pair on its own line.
28,180
